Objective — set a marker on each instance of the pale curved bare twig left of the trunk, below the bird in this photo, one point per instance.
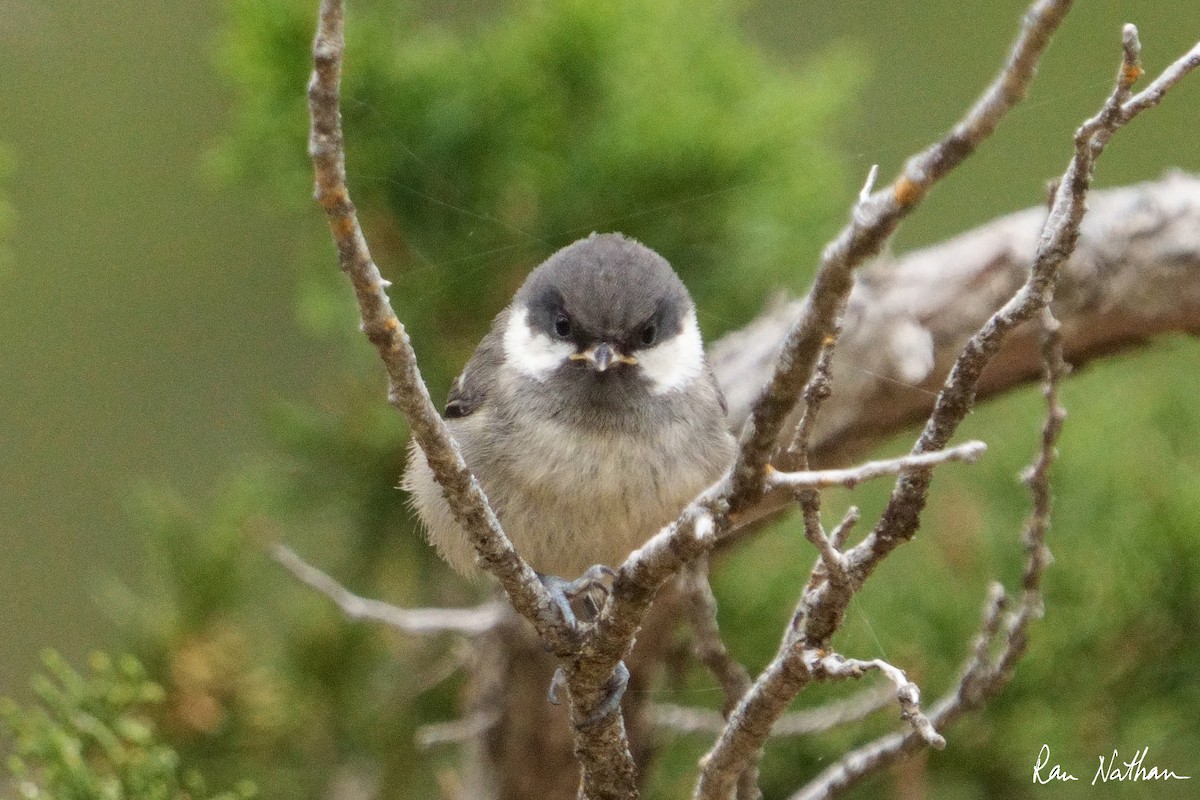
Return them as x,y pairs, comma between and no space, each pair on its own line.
470,622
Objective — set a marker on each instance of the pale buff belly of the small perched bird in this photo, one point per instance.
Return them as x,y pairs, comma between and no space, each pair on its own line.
571,500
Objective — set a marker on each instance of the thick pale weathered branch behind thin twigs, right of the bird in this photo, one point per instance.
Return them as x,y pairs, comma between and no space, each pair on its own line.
1135,275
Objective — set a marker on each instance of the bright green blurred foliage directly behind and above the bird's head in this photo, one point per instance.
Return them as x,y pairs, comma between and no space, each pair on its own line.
490,148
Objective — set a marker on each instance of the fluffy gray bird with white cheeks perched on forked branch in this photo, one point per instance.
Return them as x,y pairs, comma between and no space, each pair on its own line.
589,414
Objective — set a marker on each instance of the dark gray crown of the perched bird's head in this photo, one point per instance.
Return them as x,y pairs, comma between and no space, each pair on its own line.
610,287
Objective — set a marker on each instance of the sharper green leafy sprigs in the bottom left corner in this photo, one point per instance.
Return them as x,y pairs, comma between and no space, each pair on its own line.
92,737
